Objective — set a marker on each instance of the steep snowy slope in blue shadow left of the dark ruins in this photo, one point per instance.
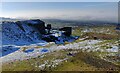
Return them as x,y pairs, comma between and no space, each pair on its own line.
21,33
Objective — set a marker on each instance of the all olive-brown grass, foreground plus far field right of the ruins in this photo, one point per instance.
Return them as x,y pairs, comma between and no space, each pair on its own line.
82,61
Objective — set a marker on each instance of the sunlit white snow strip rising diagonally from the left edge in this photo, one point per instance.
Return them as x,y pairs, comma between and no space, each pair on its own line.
34,52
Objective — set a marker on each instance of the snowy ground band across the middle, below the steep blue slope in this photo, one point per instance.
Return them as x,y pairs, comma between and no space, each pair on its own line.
15,52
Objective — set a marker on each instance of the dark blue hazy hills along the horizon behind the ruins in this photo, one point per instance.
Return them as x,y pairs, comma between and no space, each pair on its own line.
60,23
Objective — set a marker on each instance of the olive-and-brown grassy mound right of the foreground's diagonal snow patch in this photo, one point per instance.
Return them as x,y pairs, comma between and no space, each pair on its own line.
84,61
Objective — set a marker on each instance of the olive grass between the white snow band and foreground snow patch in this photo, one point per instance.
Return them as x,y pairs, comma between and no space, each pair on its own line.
29,65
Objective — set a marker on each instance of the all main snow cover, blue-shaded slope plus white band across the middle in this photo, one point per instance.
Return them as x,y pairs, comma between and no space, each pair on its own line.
14,38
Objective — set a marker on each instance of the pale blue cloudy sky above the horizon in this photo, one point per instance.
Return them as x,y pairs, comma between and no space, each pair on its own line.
101,11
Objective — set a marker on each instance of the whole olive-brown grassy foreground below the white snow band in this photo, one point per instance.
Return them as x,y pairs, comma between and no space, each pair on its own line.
82,61
